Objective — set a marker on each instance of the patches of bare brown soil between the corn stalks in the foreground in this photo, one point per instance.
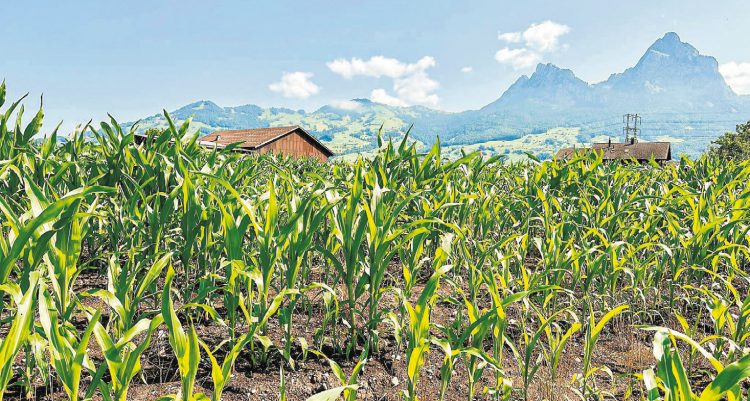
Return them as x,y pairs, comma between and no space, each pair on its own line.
622,352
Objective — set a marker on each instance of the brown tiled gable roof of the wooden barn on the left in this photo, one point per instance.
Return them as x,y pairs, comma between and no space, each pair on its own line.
255,138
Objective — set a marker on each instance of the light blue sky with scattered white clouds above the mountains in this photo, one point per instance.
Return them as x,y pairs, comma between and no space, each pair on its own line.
134,58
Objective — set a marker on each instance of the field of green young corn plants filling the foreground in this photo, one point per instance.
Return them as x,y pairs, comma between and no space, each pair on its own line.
165,270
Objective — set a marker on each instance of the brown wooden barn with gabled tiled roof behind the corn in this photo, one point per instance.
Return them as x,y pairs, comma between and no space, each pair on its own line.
293,141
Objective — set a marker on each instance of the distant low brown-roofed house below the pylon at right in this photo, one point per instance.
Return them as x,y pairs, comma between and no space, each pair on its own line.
641,152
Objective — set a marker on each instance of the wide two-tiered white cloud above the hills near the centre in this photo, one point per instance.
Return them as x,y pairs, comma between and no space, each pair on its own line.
411,83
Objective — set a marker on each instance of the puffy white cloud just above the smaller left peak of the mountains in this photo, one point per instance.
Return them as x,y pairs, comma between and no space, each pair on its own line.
538,39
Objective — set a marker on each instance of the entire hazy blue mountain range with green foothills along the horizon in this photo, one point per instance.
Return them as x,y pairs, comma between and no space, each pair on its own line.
679,92
